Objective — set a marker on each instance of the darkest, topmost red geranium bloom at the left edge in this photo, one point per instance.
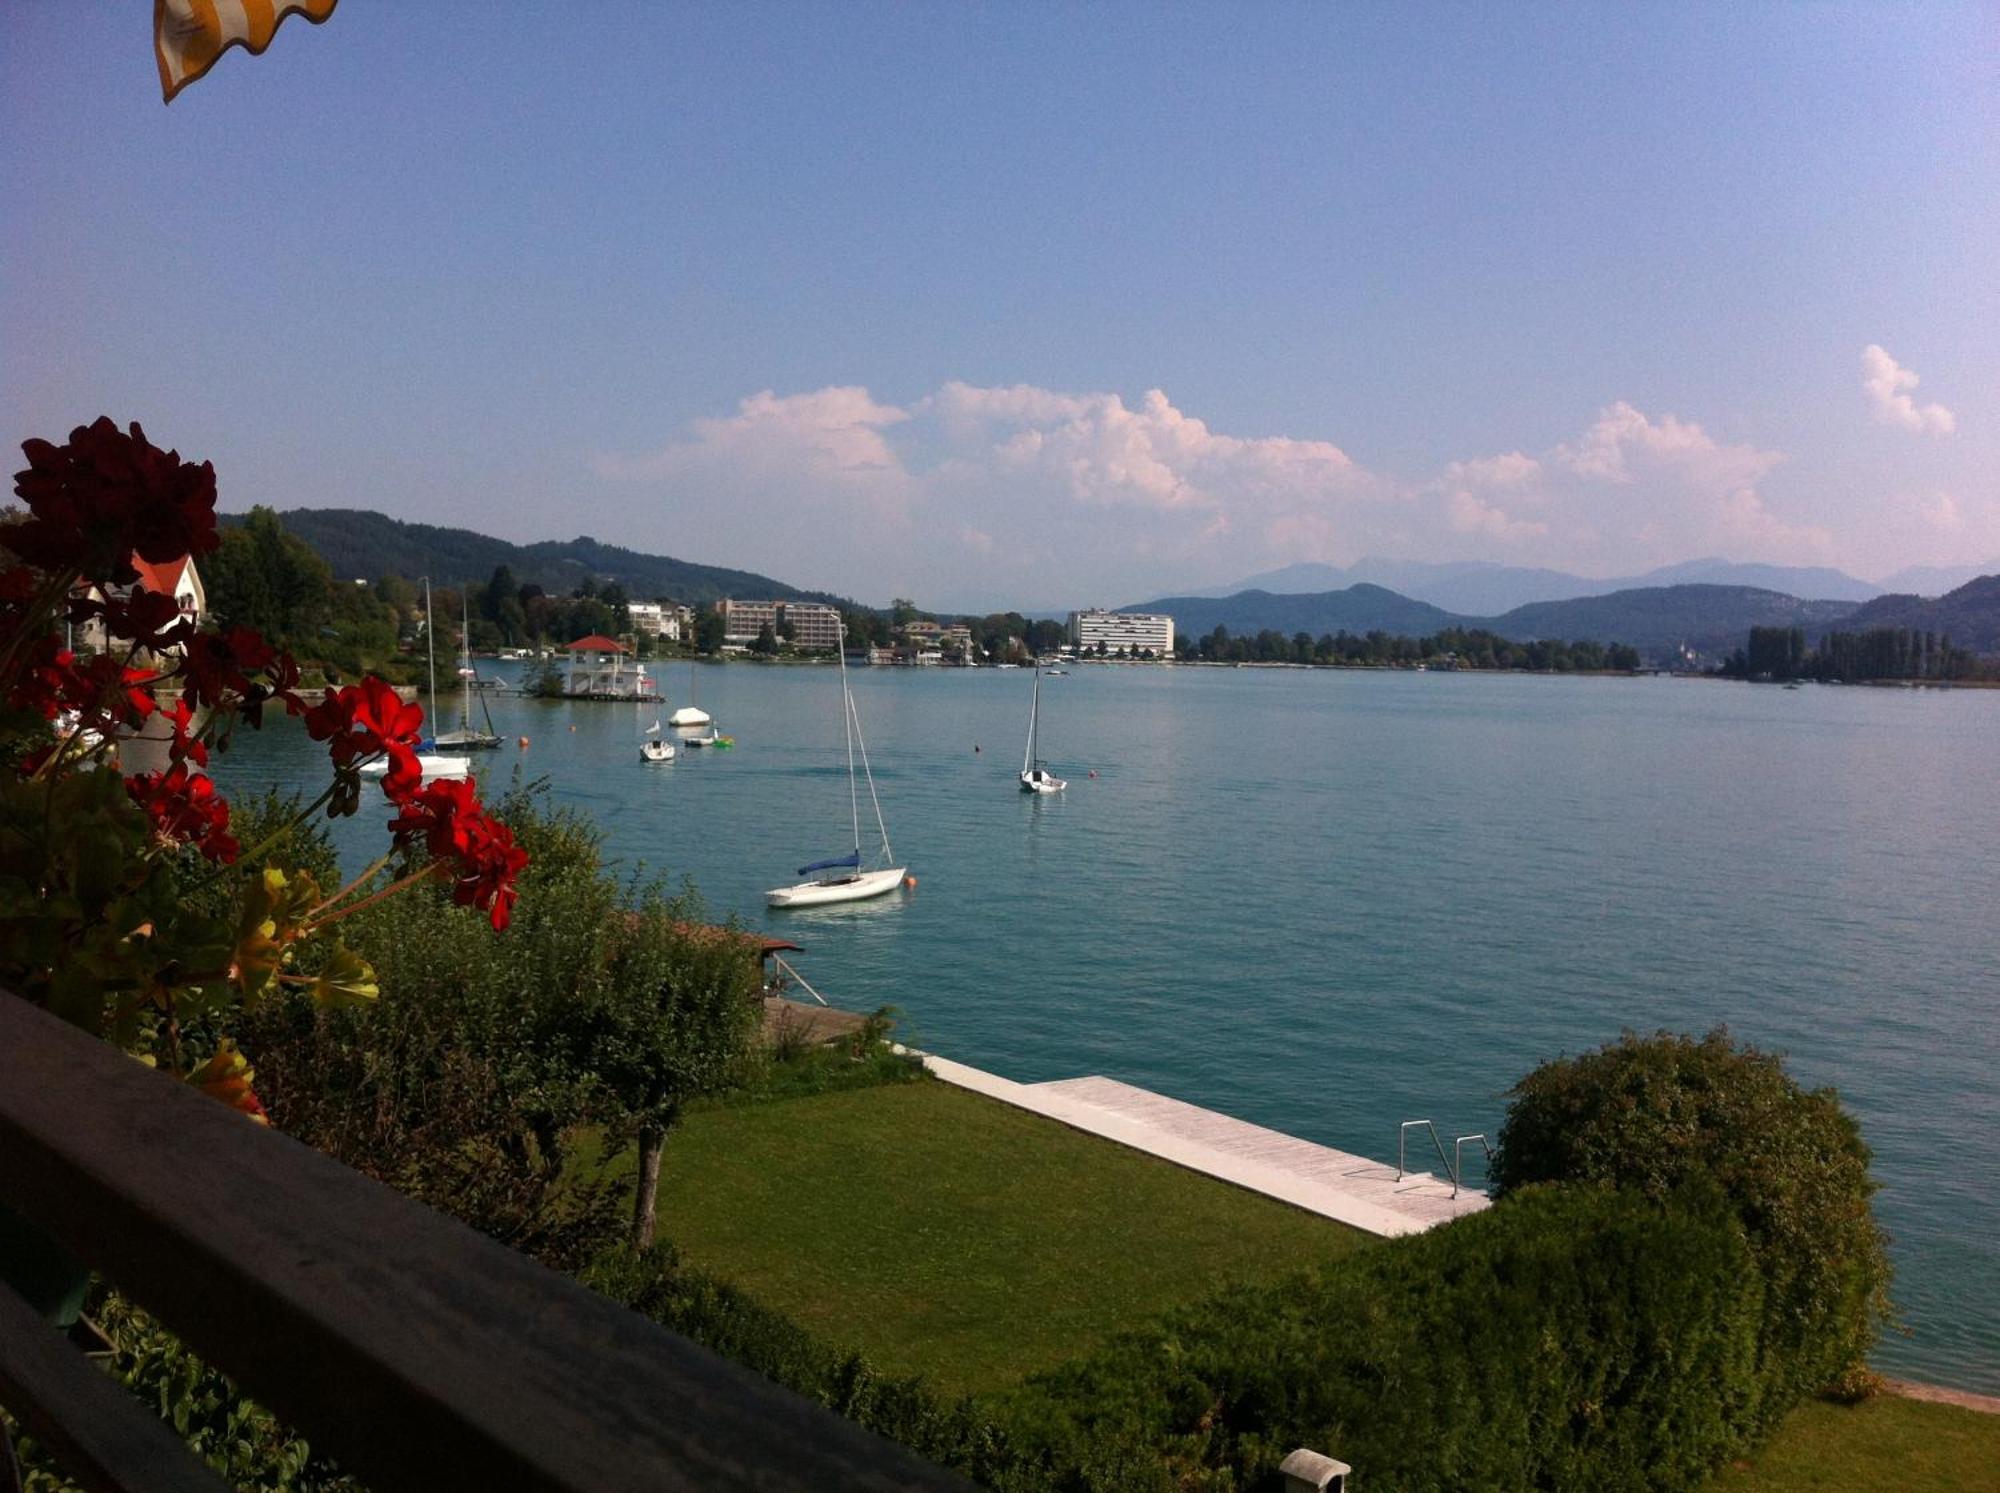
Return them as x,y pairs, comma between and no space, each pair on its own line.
107,495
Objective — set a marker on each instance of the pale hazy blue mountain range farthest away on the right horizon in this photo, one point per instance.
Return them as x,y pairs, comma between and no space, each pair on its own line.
1487,589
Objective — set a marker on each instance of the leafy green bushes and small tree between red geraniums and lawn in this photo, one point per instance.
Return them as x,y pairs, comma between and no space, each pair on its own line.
485,1058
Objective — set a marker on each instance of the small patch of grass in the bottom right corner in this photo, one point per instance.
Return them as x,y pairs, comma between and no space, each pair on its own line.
1883,1444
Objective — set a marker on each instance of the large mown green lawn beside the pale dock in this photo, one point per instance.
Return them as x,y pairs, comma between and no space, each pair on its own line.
951,1236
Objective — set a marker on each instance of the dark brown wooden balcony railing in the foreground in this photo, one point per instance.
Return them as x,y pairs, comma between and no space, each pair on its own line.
409,1348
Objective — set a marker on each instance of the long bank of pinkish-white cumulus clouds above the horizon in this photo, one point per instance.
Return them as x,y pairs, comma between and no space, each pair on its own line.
1037,495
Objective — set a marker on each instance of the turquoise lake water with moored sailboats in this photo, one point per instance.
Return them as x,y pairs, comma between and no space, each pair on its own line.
1331,902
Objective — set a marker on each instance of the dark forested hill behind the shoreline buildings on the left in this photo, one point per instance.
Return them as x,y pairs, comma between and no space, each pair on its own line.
363,545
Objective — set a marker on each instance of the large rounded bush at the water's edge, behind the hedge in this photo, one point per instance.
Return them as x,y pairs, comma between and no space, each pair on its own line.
1655,1114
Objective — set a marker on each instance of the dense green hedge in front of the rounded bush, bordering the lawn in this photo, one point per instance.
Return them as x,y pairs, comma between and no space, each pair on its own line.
1569,1340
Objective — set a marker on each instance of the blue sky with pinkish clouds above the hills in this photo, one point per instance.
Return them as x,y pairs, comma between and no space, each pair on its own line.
1039,305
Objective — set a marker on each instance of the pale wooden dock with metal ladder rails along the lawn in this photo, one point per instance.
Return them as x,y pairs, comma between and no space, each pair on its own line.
1333,1184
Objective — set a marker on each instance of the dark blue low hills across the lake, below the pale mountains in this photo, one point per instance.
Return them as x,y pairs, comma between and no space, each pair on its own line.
1711,619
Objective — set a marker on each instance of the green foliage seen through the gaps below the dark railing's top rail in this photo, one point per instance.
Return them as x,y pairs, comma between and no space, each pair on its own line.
235,1436
